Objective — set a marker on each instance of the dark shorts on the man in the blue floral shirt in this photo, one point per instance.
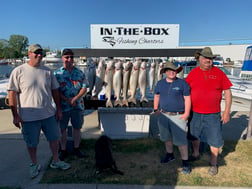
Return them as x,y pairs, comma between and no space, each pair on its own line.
76,117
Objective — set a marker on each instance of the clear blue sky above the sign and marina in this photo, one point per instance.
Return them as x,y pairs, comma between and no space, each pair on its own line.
66,23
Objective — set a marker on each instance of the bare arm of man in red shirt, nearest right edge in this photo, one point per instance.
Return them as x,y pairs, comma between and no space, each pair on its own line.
228,101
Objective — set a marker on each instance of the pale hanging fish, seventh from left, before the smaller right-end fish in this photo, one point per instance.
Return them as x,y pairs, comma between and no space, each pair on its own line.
142,81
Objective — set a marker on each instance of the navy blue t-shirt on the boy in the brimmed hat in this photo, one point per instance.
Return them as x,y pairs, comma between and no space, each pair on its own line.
172,94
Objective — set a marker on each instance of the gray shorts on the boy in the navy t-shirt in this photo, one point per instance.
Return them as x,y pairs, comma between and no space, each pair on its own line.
172,128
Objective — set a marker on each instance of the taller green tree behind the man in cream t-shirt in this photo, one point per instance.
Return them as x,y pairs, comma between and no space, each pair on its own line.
18,45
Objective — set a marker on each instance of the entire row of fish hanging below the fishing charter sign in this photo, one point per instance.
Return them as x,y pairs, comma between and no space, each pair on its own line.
122,78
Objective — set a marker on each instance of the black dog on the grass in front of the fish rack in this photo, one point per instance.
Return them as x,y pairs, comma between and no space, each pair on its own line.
103,156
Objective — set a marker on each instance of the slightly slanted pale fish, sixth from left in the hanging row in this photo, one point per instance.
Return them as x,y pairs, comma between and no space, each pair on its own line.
134,81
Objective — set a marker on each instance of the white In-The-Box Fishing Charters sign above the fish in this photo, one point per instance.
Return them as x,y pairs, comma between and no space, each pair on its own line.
134,36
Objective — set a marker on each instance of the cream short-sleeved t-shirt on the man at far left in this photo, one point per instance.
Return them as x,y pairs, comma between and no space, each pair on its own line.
34,87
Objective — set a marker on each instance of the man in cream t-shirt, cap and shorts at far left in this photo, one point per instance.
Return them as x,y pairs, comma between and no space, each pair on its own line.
31,89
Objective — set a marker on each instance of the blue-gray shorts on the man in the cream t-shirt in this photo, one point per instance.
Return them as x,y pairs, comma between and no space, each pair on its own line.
31,131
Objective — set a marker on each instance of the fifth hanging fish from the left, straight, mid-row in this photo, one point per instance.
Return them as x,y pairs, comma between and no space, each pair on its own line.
126,75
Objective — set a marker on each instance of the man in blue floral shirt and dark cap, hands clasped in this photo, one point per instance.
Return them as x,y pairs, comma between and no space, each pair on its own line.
72,89
